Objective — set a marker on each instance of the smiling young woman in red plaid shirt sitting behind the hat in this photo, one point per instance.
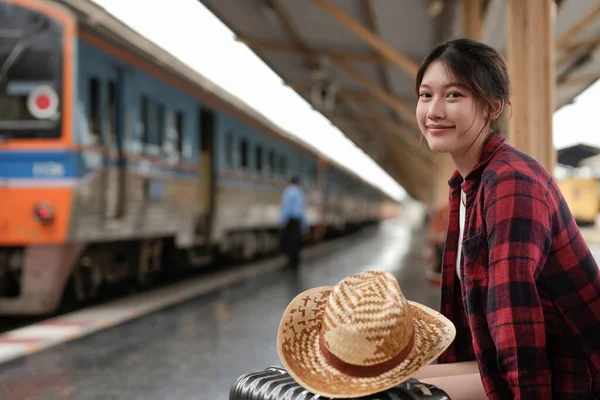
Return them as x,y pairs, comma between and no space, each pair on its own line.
518,280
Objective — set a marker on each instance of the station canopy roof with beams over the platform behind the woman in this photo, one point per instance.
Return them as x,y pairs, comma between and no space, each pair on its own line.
365,55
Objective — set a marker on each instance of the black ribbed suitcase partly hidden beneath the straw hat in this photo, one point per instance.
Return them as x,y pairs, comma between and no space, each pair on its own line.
274,383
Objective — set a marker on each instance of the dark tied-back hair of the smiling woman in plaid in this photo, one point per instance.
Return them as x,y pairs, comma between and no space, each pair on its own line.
477,67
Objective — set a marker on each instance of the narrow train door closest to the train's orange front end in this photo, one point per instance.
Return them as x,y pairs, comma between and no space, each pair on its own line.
115,180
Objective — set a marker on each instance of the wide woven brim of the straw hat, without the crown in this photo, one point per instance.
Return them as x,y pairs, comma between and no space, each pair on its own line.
298,348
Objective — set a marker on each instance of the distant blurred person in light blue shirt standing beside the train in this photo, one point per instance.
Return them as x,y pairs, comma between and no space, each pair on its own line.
293,221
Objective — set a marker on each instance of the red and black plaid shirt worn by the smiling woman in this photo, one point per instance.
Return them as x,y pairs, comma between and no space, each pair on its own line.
527,306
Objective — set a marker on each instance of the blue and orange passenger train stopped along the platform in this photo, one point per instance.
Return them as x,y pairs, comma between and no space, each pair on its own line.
118,162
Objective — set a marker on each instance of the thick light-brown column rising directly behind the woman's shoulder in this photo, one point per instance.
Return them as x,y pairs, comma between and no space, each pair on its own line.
532,71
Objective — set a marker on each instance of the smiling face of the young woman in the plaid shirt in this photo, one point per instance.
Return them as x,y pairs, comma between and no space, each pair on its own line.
448,115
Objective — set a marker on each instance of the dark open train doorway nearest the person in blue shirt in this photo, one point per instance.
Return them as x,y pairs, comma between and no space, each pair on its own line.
206,131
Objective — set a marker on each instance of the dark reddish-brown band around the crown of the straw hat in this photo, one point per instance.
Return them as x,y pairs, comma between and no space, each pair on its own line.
366,371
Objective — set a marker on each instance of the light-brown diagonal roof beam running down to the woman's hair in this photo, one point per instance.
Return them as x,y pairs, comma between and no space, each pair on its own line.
404,63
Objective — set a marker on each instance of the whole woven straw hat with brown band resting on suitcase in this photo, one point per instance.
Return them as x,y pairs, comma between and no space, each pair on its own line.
359,337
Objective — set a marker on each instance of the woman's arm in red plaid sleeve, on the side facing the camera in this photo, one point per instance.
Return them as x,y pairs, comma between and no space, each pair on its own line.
517,219
